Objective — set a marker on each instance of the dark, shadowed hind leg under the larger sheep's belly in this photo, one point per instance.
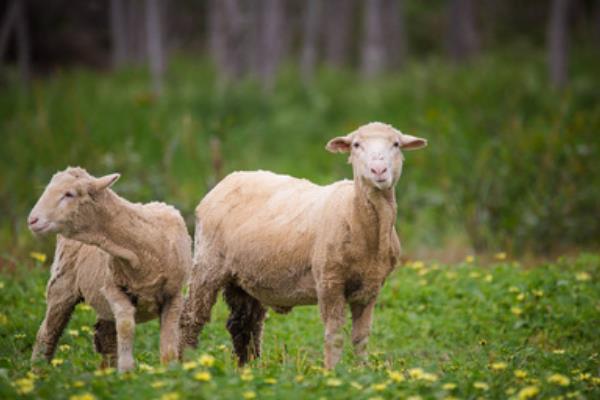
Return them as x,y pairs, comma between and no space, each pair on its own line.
245,323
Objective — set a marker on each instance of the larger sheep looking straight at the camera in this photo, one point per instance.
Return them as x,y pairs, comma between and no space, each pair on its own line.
274,241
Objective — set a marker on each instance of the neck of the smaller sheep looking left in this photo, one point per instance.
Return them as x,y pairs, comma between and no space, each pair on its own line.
118,229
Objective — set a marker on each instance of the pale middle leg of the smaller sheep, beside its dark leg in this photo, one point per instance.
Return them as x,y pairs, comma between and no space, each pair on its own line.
124,313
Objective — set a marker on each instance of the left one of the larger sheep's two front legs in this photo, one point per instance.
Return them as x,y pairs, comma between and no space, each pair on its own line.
331,304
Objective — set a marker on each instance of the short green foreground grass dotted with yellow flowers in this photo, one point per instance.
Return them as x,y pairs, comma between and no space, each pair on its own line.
467,324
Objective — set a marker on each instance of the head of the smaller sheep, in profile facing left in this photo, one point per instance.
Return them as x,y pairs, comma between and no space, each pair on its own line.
68,202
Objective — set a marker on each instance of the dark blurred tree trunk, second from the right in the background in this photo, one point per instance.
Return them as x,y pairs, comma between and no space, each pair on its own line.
463,40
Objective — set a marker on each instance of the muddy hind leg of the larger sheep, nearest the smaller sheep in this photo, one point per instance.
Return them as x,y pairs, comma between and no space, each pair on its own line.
198,305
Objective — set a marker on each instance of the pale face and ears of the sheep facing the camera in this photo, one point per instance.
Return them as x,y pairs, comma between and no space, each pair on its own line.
376,152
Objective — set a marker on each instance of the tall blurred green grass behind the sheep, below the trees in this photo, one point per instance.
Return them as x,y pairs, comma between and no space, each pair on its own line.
512,164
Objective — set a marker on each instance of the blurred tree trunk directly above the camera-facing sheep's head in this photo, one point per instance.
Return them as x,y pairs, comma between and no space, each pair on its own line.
373,50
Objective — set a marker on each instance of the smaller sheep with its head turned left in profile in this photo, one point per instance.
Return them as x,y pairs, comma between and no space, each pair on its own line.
127,261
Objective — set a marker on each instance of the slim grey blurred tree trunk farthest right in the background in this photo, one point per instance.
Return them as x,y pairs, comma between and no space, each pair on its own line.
557,42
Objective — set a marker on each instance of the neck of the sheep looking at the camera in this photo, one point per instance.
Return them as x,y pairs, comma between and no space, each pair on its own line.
376,214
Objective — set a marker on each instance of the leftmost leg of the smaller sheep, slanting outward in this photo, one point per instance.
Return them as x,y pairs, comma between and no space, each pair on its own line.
61,299
